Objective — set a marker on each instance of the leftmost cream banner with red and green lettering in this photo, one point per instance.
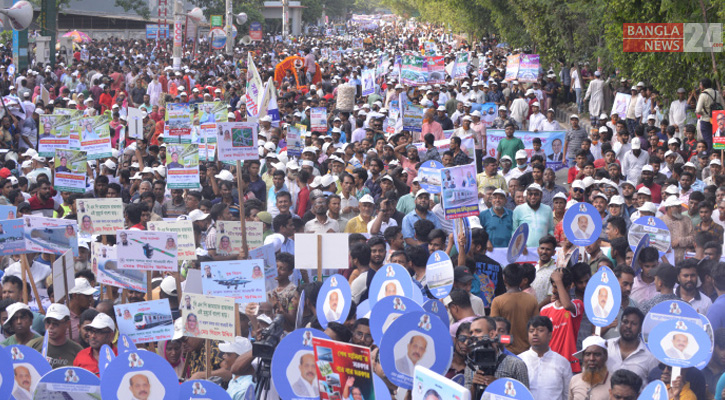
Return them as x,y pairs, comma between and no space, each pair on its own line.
99,217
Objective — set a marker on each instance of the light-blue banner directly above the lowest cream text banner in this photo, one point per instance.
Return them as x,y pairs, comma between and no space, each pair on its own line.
242,280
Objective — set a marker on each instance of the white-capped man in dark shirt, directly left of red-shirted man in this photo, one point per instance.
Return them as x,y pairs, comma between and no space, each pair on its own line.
61,350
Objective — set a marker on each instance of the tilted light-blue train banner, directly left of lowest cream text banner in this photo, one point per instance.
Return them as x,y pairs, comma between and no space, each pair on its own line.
147,321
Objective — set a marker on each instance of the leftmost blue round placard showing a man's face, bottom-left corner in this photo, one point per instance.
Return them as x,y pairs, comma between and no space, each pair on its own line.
28,366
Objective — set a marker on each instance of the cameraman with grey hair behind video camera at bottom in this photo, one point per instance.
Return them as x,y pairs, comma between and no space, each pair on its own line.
505,366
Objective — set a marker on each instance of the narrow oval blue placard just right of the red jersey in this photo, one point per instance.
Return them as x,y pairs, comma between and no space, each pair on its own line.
602,297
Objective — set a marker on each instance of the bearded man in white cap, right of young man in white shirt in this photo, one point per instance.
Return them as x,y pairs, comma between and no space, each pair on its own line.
594,381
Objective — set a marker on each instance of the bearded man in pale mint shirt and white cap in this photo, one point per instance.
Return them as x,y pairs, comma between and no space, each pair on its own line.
539,216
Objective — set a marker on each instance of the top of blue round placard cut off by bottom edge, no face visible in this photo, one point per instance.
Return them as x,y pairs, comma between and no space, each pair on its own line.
68,382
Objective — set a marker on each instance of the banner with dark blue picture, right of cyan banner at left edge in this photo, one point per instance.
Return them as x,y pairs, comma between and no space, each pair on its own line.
50,235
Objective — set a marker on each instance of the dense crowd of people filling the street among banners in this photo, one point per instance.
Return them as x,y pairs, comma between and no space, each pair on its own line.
361,177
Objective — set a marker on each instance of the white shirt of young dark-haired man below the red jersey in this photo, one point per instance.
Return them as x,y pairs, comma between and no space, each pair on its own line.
549,375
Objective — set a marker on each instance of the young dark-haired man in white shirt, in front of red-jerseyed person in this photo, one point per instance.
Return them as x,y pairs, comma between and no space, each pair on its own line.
549,372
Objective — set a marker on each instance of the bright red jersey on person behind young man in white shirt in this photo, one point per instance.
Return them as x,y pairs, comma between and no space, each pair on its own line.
566,328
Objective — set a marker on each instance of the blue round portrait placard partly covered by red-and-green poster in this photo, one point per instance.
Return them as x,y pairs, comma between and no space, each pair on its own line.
294,371
